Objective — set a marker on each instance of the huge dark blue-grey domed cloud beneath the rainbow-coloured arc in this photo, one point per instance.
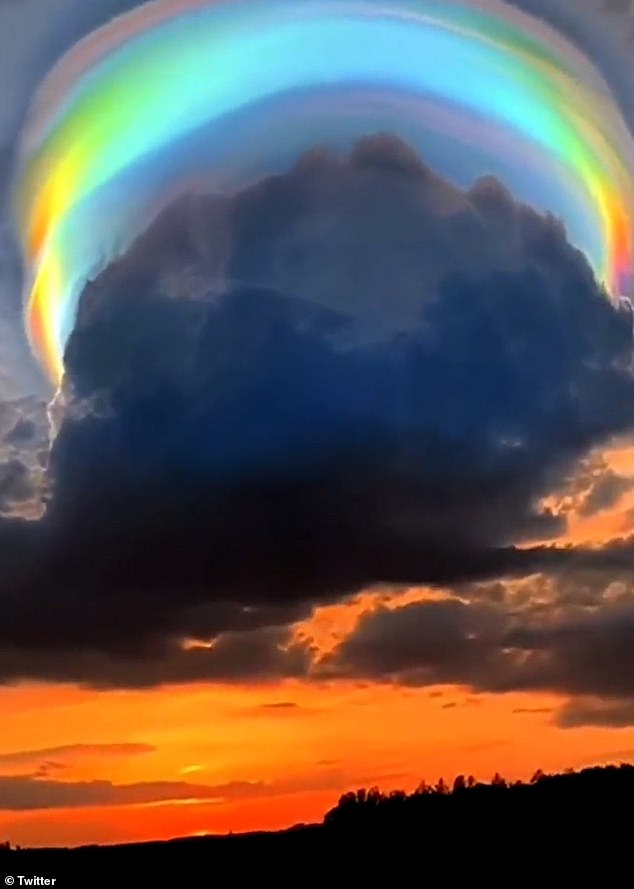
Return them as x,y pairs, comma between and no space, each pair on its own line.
352,373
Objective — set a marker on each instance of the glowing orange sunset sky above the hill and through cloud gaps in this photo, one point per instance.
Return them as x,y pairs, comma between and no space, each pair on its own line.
266,755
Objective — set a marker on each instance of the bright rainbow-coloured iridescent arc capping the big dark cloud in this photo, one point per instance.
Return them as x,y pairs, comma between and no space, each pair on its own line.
235,90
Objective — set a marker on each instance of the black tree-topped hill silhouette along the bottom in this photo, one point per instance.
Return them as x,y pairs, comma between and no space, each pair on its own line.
550,815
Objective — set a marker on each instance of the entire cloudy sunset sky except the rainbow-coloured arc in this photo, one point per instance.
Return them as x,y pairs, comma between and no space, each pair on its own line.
290,537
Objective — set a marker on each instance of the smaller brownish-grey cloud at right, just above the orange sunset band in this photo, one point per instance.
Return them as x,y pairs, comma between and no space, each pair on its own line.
581,652
